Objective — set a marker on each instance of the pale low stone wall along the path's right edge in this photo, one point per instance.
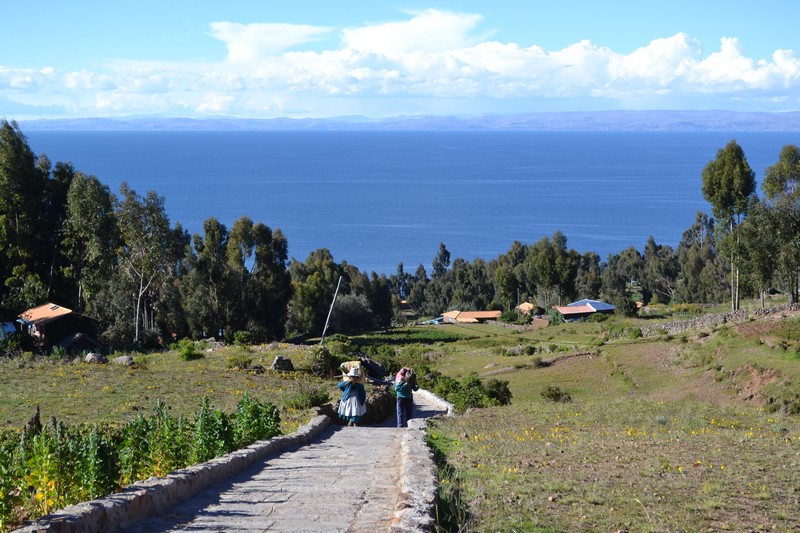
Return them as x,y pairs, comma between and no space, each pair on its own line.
419,486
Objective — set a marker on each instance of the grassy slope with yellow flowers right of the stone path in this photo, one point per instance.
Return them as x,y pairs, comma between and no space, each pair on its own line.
685,433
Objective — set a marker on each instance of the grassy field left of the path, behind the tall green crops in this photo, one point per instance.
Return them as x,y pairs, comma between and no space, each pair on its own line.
78,393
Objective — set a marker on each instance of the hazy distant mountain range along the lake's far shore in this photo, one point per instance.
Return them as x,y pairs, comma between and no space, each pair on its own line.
555,121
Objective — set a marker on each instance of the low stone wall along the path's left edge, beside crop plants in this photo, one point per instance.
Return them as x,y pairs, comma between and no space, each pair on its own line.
158,495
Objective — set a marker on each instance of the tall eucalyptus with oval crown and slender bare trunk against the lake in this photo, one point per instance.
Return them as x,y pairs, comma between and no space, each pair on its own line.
728,184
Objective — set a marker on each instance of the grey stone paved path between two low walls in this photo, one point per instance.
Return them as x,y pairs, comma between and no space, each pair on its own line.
345,481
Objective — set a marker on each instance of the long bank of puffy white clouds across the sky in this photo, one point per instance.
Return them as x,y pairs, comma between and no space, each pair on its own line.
414,64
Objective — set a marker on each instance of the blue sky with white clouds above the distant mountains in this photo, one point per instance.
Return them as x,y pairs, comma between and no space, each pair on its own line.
322,58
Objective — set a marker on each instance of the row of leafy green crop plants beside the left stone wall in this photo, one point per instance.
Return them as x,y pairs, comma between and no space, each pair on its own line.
46,467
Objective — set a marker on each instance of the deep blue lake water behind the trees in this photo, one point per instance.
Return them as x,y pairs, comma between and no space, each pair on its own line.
376,199
